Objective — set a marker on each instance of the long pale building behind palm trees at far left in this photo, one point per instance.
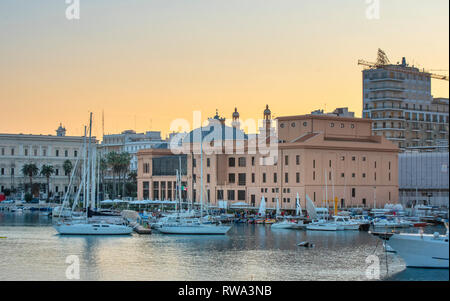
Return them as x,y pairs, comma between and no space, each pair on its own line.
19,149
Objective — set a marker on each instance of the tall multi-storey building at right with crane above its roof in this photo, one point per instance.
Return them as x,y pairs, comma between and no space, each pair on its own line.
400,103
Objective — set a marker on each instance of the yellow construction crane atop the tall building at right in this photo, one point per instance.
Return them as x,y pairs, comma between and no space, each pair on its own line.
383,63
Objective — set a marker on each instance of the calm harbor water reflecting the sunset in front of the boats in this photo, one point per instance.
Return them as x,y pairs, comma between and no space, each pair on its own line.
32,250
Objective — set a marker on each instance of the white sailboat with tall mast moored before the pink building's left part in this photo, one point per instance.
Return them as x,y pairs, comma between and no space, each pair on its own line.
194,226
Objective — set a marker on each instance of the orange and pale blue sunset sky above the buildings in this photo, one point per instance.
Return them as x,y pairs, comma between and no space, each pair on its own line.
145,63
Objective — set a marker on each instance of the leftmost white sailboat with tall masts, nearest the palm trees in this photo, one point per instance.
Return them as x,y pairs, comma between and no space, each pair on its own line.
84,226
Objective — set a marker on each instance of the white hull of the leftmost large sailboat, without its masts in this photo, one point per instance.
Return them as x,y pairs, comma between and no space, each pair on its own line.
93,229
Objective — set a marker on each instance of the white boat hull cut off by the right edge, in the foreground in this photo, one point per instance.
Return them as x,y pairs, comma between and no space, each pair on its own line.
421,251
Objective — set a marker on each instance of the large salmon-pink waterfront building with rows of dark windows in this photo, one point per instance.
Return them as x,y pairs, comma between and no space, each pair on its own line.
318,155
